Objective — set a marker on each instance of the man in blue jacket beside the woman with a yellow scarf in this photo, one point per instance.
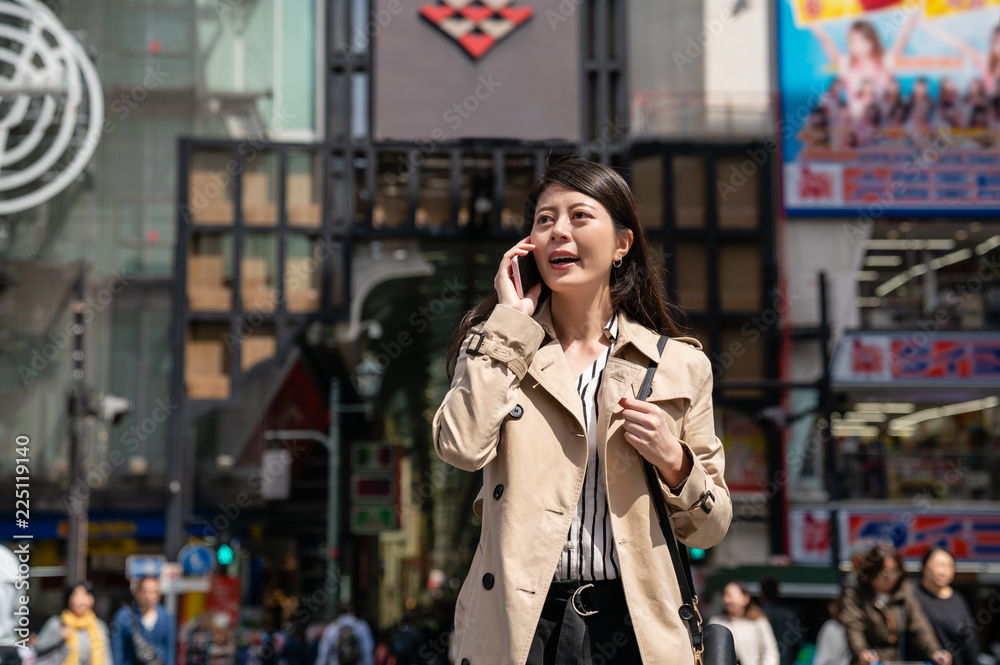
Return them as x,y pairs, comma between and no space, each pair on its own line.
143,633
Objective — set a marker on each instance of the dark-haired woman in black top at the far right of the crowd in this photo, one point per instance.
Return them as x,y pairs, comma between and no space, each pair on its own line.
947,611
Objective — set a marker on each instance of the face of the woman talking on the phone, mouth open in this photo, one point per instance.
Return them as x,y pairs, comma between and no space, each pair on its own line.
575,240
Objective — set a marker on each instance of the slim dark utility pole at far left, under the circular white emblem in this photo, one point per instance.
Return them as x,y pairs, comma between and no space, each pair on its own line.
79,492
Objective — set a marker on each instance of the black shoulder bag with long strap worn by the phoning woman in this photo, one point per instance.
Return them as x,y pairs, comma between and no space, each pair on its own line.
712,644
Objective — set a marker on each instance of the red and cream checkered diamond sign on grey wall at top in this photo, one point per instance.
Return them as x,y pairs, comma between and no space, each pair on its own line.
477,25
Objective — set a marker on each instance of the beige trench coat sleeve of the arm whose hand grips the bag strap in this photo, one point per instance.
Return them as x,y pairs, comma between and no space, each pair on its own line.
701,512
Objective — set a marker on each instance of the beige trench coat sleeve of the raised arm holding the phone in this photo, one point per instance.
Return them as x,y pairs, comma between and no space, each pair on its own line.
493,360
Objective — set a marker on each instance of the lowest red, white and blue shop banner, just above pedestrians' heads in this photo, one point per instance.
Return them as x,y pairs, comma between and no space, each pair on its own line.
971,536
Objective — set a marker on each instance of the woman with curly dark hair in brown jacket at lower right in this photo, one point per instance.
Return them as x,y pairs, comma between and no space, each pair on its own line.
881,614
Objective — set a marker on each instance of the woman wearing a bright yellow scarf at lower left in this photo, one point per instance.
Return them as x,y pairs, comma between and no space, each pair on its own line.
77,628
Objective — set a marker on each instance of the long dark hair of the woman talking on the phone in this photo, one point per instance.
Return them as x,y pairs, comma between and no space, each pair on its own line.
636,286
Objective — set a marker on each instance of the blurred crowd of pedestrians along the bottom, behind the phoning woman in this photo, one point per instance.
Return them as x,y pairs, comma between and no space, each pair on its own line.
883,618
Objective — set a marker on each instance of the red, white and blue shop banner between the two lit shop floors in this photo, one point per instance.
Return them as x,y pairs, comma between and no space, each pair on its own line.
918,358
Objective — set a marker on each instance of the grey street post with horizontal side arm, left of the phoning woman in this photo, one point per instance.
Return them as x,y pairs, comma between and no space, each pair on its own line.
331,441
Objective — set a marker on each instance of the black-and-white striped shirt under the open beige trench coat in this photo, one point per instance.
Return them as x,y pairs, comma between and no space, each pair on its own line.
589,552
